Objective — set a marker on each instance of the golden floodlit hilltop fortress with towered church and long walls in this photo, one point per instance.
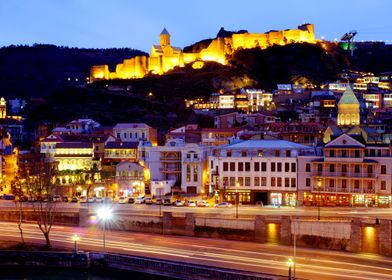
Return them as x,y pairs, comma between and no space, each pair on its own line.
164,57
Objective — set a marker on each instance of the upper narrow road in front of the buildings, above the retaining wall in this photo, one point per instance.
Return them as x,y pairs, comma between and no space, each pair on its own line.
245,210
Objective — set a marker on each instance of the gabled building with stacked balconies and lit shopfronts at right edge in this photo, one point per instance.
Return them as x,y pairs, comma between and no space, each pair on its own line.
349,172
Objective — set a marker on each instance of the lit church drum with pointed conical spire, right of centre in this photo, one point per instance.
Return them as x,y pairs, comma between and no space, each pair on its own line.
348,109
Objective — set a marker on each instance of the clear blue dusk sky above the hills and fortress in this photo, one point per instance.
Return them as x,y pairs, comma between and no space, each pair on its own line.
137,24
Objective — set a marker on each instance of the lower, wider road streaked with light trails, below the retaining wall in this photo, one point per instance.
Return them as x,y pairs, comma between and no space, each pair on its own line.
249,256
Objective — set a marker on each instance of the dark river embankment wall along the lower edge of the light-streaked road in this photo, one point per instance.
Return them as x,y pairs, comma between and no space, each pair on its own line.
94,261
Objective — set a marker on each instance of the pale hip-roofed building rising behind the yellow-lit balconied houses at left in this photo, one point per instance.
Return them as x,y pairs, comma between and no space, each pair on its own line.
135,132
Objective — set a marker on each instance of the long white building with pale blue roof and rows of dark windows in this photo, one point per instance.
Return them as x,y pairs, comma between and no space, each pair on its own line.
258,170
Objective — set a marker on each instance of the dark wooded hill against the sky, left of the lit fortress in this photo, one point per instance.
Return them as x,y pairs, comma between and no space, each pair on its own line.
38,70
